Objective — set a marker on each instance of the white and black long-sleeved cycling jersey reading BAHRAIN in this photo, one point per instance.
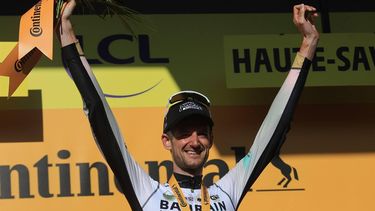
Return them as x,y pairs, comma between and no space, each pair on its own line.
144,193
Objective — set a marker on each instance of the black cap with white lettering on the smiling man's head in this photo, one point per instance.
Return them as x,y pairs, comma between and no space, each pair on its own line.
186,108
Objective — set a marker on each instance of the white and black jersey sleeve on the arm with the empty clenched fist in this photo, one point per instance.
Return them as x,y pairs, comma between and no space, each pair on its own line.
270,136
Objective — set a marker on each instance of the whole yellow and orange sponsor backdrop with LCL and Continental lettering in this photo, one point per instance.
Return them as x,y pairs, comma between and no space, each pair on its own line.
48,156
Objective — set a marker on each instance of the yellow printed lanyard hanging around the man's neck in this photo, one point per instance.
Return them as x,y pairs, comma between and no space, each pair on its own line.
205,198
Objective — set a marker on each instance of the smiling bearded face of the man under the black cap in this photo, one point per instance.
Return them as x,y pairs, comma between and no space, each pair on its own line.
190,144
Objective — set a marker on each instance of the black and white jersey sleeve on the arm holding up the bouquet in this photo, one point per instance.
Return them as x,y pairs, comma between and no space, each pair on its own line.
133,180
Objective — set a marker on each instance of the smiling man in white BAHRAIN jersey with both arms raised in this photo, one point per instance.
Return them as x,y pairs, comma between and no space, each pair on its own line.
187,132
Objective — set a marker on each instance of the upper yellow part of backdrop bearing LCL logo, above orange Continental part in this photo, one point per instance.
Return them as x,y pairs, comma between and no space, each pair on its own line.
168,60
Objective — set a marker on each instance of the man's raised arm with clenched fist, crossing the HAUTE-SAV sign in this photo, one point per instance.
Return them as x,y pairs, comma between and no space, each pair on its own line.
276,124
